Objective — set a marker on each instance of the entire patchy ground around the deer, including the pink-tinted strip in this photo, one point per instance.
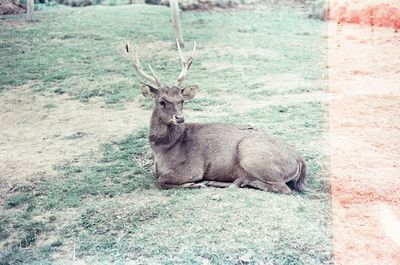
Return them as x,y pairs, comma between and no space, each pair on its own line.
76,177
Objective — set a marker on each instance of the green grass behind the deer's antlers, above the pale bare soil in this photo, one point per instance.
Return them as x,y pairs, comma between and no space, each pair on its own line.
80,51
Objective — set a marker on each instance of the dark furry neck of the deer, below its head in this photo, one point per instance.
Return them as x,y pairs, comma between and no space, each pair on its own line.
164,135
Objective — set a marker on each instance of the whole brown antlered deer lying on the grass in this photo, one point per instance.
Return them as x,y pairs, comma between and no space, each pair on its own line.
199,155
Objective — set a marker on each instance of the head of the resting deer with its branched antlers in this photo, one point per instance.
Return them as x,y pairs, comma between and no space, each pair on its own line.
168,100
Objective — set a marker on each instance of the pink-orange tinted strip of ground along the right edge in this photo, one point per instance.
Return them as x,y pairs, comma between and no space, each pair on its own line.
364,113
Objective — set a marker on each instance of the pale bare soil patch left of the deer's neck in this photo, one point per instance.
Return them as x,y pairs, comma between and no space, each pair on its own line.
39,132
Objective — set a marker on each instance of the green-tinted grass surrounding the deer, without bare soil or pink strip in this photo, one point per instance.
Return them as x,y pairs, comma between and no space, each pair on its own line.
260,67
